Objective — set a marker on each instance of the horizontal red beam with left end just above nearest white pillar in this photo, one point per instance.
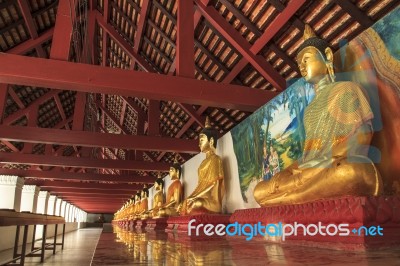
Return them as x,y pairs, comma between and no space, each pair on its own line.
60,175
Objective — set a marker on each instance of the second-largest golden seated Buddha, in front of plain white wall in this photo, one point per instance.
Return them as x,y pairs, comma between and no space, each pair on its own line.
207,196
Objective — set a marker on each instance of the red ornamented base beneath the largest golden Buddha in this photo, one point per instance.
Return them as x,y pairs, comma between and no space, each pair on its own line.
355,223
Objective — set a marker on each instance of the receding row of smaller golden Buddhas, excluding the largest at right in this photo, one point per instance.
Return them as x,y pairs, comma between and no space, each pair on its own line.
206,198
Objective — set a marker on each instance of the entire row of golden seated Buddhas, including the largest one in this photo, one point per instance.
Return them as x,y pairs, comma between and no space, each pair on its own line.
338,131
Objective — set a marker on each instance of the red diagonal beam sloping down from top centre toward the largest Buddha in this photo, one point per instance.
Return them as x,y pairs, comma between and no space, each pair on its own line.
242,45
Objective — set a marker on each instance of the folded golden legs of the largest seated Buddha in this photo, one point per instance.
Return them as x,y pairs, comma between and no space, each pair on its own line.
344,177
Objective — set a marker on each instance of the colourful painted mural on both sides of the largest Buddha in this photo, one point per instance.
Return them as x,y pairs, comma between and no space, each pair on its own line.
271,139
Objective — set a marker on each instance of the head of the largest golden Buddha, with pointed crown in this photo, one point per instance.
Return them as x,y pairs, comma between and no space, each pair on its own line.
315,58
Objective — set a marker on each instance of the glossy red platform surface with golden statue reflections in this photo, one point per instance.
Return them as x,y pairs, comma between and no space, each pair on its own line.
159,248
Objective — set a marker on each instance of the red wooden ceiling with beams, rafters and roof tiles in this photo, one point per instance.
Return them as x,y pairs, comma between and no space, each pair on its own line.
91,144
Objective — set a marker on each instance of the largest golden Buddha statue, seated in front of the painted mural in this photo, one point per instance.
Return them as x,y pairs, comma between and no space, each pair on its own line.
338,131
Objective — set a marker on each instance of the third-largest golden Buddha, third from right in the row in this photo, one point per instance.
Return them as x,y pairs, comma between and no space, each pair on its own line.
174,193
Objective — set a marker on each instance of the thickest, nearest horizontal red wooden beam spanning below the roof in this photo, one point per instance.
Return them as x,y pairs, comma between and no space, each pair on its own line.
88,78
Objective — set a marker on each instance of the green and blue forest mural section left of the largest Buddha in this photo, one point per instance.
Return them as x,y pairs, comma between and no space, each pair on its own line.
271,138
